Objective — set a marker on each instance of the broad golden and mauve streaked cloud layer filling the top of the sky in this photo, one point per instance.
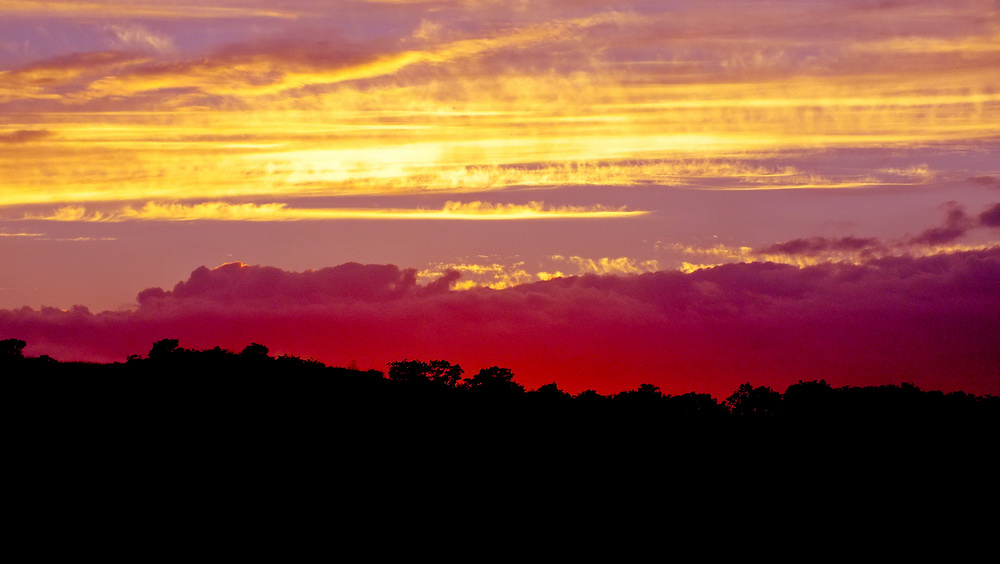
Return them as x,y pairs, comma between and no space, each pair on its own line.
311,98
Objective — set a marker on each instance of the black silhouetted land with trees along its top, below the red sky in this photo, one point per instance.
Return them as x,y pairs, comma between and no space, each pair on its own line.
205,443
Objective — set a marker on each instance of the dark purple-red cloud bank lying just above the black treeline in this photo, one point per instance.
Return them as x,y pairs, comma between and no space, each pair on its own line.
933,321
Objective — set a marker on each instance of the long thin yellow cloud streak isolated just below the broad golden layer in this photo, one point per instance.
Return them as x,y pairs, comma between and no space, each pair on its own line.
222,211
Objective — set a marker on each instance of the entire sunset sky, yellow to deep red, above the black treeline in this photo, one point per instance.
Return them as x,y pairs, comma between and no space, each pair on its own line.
601,194
